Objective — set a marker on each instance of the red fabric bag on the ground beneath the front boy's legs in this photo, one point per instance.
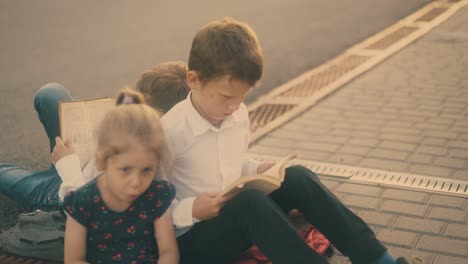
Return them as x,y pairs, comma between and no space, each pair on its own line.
312,237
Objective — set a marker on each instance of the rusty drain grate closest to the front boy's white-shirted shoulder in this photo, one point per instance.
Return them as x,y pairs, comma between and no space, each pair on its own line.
264,114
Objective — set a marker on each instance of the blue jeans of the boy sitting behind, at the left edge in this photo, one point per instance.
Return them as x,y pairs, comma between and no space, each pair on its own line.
38,189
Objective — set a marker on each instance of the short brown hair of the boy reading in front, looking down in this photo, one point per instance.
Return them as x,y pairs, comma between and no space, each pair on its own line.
226,47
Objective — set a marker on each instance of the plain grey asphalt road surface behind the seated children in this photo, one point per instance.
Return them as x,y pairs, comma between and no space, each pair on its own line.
96,47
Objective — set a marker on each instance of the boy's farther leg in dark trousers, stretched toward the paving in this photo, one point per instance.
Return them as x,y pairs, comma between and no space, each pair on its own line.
302,190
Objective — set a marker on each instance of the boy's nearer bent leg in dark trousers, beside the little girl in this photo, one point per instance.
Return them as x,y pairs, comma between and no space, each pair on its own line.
249,218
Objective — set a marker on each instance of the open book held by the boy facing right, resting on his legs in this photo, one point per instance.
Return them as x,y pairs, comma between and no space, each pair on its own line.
266,182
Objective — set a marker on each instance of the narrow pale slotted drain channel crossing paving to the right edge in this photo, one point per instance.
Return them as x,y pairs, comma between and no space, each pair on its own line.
398,179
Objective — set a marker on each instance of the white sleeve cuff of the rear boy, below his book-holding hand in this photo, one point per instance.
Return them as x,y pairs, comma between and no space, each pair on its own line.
69,170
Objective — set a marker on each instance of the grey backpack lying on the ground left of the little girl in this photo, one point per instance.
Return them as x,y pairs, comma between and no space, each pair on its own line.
38,235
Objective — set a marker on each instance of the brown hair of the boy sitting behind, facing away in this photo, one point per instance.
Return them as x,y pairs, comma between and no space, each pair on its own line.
164,85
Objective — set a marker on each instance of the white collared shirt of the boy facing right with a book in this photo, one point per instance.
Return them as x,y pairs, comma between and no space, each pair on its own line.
206,158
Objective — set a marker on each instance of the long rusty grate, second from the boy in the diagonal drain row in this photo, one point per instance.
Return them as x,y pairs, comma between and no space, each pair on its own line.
325,77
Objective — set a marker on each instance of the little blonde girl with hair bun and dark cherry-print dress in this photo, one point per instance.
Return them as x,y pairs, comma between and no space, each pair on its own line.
124,214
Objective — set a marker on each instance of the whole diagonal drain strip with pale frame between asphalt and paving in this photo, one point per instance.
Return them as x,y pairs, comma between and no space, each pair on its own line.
309,88
